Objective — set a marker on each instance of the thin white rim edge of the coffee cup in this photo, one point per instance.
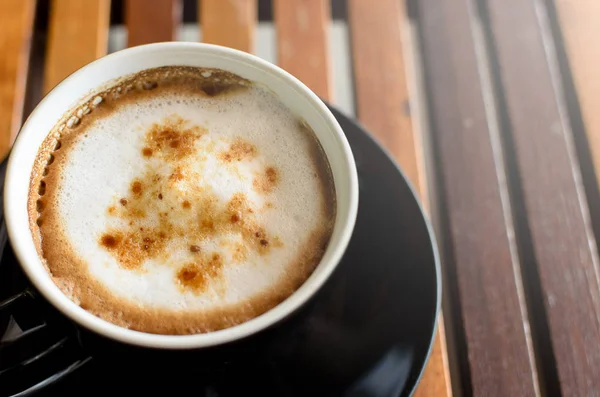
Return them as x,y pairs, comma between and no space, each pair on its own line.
45,285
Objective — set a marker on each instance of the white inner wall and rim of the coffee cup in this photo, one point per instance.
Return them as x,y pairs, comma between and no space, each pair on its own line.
295,95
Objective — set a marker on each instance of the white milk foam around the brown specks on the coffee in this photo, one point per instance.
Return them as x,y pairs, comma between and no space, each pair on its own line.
106,157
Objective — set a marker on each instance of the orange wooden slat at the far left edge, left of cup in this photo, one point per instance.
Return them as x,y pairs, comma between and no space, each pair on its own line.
16,28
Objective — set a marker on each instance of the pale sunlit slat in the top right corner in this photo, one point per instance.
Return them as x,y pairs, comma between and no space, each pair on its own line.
580,27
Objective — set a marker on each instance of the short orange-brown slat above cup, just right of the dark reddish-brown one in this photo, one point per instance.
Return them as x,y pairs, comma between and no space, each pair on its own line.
230,23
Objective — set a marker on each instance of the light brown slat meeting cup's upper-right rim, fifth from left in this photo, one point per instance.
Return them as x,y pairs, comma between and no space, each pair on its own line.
302,42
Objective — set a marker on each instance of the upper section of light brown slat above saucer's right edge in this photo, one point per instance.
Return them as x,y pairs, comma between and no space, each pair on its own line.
380,78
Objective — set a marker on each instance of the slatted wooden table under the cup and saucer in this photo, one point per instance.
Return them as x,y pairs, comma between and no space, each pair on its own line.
490,108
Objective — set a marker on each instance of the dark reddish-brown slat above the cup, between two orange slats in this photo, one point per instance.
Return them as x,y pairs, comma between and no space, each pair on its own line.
152,21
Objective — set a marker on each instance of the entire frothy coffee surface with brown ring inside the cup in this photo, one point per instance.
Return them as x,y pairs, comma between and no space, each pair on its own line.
181,200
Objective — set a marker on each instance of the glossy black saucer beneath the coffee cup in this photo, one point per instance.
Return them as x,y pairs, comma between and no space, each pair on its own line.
368,332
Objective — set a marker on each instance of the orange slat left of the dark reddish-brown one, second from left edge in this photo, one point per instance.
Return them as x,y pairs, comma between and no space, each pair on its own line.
78,34
